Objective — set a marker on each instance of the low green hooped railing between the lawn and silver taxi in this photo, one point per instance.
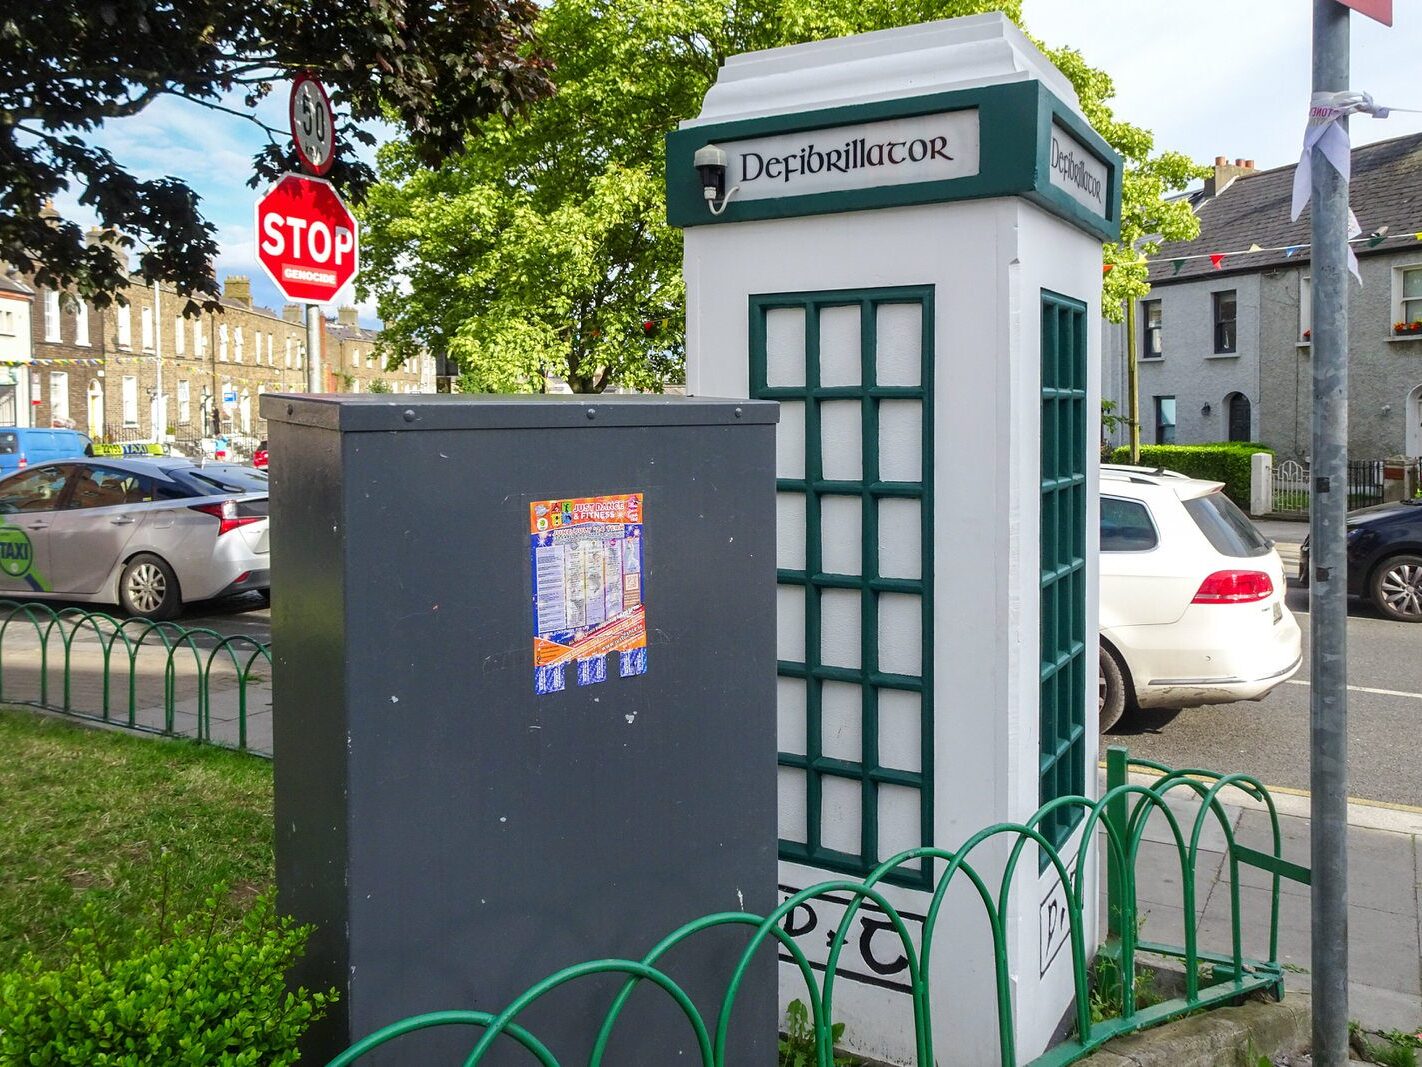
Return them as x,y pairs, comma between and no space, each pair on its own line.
196,667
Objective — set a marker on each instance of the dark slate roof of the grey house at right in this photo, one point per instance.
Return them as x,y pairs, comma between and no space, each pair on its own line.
1386,191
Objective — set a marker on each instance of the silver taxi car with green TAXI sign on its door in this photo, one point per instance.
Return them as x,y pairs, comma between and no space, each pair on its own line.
149,536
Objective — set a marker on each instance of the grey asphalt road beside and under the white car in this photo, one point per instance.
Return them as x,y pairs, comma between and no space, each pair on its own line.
1271,738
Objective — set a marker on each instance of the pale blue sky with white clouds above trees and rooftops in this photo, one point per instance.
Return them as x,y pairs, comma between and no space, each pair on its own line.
1212,78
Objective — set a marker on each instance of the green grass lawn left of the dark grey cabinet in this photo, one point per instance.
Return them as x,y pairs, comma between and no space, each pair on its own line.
127,823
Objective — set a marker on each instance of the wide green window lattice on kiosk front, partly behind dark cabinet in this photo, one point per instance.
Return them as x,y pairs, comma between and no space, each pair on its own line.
888,694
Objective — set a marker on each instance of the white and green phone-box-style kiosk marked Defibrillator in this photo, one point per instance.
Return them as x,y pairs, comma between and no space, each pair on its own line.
898,237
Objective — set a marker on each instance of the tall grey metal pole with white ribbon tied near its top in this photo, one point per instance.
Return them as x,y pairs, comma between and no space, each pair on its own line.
1327,588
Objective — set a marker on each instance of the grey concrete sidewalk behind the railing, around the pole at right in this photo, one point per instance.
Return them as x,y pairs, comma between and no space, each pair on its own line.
1384,886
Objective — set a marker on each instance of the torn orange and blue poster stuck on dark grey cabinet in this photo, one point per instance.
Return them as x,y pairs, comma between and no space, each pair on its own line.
588,590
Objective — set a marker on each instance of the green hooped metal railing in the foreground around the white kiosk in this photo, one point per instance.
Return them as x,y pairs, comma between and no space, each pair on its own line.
1121,816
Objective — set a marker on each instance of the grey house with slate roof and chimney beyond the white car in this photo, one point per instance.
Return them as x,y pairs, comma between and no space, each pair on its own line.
1225,349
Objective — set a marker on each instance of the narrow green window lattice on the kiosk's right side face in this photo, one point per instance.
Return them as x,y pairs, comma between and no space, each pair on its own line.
1063,749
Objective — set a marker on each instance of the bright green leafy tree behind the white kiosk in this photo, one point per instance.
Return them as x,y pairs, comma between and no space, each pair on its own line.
542,248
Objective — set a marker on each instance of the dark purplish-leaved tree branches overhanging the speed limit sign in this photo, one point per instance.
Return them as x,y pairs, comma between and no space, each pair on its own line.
436,68
